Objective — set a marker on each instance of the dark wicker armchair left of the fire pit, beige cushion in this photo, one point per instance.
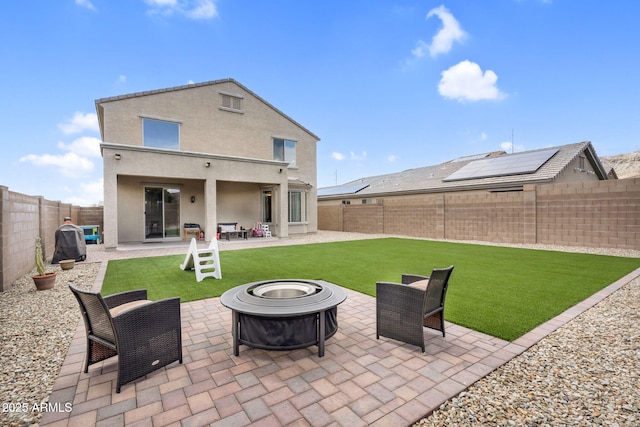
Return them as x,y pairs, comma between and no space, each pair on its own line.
145,335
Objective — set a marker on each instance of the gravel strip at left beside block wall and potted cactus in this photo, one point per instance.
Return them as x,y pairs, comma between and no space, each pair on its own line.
37,327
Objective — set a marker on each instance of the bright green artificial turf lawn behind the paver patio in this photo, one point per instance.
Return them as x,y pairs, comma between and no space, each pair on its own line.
504,292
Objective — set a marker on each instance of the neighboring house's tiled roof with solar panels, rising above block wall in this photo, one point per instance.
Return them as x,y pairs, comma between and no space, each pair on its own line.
495,171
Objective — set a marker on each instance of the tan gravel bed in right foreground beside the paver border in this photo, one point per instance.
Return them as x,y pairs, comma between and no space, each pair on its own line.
586,373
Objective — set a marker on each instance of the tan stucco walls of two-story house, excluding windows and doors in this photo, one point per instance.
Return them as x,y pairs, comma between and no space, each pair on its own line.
238,146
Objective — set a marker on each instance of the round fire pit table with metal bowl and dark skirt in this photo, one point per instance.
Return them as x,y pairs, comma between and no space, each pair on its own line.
283,314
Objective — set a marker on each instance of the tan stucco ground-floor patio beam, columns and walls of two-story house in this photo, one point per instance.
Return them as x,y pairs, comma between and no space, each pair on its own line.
137,168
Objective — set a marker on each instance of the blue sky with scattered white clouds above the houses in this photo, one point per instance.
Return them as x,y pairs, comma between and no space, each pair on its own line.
386,85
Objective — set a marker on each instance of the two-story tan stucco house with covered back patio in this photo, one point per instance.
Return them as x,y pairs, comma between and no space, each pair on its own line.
204,153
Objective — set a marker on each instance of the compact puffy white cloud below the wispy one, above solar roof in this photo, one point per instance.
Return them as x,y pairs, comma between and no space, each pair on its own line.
465,81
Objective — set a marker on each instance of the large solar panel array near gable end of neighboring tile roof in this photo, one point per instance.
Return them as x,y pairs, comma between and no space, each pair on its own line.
512,164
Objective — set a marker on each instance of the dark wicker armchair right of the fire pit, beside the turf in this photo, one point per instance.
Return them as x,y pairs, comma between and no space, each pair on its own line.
402,310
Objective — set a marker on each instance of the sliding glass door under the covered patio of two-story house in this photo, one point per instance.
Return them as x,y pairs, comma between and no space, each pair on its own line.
161,213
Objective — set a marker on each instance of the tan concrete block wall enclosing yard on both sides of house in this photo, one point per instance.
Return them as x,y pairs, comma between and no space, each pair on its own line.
592,214
